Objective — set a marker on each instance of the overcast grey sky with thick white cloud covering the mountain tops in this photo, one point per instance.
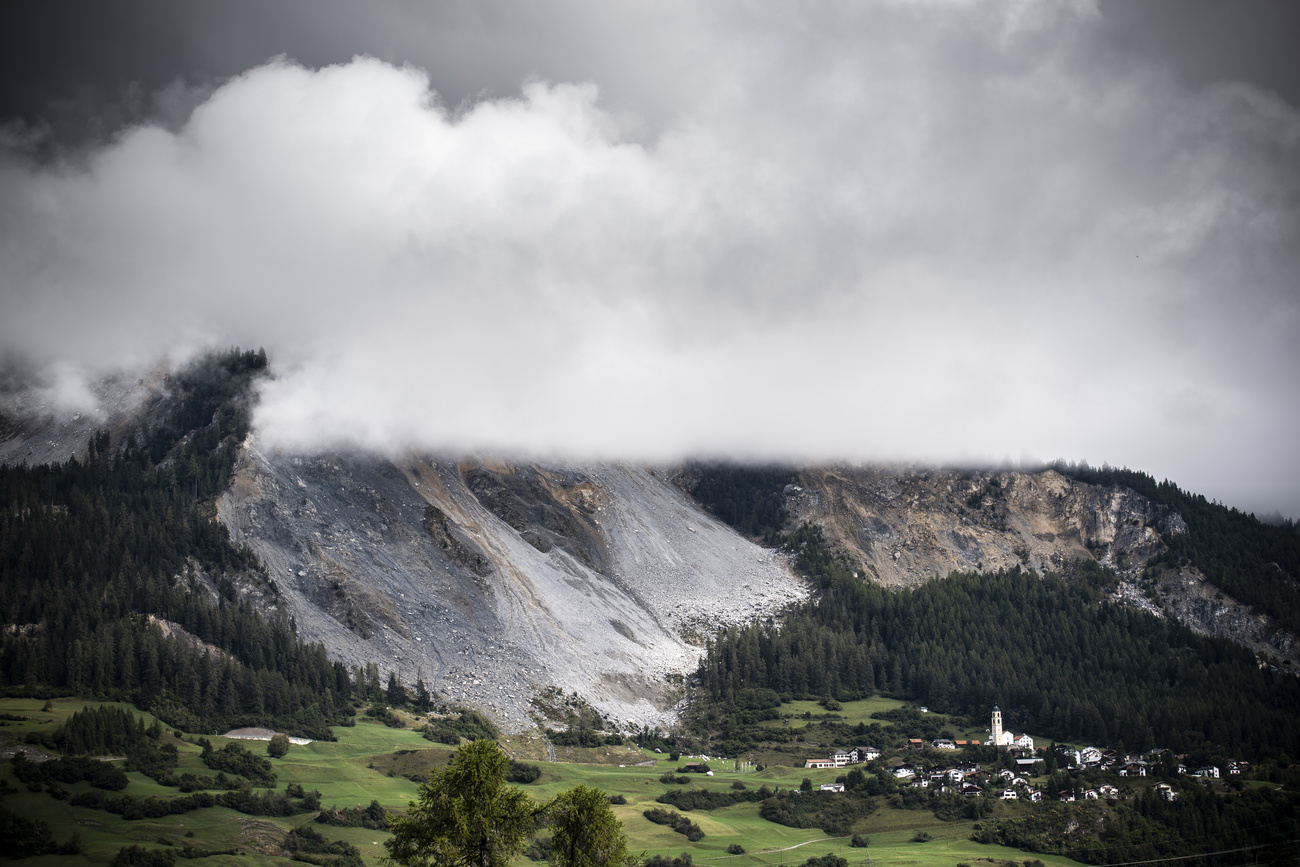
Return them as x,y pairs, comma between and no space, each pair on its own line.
944,232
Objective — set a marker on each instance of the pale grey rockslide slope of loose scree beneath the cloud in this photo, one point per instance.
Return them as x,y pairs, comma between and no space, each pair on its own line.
495,582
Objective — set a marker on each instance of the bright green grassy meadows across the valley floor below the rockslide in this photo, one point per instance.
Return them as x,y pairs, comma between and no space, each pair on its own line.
375,762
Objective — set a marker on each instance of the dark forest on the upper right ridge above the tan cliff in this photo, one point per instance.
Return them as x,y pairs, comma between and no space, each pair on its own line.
1253,562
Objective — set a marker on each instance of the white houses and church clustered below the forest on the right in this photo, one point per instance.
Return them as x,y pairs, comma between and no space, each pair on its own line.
972,781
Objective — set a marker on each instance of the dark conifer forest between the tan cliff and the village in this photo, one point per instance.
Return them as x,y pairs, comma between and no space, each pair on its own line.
1054,652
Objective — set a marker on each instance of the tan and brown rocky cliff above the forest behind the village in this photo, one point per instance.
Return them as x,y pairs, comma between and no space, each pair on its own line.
907,526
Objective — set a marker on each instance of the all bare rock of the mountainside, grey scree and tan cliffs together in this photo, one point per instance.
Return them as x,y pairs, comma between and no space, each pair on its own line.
497,582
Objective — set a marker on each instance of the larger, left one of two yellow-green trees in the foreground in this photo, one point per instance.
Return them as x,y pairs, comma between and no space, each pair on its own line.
466,816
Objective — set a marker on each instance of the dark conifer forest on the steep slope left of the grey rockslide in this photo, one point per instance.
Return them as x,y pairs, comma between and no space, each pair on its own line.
96,553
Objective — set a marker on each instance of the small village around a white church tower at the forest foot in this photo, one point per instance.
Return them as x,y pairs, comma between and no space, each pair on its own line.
1028,765
